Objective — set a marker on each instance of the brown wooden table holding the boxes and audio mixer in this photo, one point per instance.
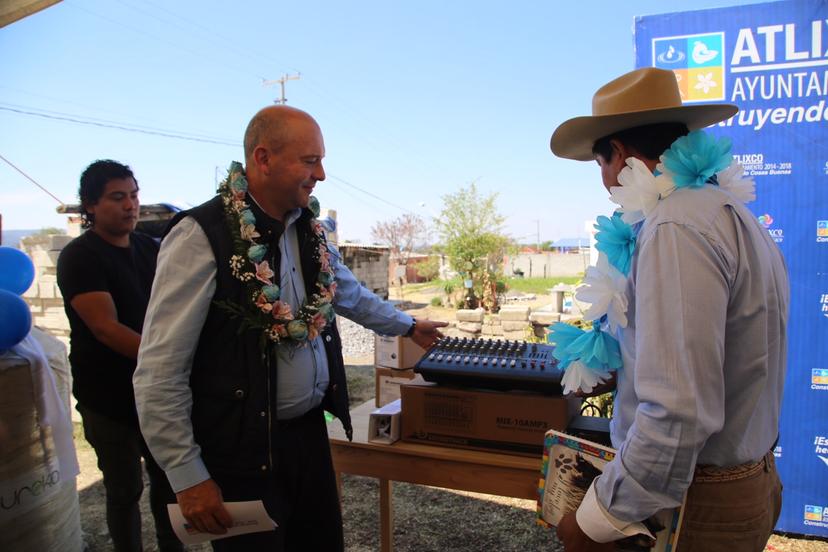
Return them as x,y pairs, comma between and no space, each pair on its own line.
466,470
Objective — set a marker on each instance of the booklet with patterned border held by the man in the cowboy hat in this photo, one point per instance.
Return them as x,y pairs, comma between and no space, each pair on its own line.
570,464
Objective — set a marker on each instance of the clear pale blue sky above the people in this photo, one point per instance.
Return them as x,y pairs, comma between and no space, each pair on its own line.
416,100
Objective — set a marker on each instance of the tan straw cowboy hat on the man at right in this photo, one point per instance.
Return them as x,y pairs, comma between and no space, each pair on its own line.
641,97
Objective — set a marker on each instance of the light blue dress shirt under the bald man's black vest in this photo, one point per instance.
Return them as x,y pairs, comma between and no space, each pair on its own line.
185,282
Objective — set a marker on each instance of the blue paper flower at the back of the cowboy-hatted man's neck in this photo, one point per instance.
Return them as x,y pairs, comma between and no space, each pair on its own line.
693,159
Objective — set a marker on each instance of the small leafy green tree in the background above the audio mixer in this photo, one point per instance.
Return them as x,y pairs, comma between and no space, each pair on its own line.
470,229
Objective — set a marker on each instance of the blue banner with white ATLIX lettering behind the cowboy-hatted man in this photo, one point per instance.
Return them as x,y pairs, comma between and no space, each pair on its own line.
772,61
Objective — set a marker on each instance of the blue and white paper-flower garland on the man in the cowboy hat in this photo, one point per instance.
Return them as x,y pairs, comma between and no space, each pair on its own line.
588,357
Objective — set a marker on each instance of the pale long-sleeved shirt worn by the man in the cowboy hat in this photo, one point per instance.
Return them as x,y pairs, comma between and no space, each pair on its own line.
704,356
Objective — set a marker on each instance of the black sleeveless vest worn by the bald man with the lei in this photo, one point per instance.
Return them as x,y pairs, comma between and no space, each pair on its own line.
233,380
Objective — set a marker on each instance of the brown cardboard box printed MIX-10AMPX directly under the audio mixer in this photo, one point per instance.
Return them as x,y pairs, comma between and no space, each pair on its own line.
513,421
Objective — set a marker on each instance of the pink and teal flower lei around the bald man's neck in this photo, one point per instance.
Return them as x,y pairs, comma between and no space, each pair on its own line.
275,319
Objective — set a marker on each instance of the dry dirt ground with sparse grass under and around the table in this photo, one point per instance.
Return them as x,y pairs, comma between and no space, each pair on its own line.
426,518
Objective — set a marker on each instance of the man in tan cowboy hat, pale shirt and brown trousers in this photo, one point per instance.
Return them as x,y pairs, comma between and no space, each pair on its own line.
698,400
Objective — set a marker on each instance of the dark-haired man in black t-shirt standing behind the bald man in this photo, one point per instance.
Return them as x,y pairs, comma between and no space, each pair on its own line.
105,276
